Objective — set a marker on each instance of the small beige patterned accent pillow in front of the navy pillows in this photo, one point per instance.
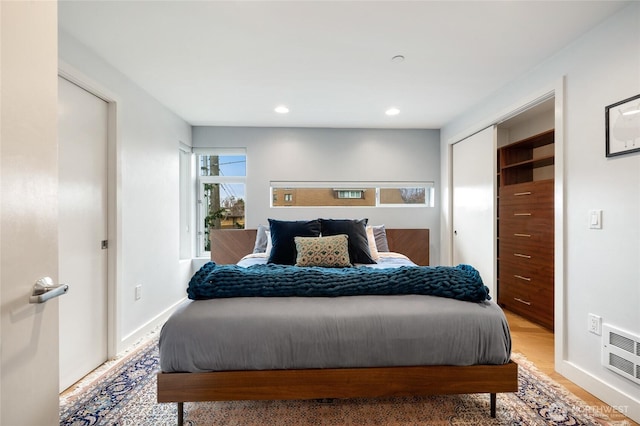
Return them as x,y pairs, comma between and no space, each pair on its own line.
328,252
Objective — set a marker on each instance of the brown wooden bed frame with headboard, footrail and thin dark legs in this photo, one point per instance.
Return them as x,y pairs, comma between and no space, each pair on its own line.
228,247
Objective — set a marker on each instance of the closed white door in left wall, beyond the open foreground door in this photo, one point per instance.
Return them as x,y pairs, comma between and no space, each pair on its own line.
82,131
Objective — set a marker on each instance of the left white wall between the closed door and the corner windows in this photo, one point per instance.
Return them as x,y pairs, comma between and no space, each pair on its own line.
146,195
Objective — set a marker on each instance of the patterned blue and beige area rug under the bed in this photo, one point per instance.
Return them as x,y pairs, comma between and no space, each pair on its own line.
124,393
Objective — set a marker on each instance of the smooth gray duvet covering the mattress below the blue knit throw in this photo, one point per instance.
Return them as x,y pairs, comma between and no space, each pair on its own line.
355,331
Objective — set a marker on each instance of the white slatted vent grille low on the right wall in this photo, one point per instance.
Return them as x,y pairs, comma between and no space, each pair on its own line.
621,352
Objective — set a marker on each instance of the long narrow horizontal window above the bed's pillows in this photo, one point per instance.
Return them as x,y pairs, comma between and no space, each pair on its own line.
352,194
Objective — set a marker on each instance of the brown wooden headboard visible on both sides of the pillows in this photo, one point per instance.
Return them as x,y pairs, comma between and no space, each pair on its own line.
230,245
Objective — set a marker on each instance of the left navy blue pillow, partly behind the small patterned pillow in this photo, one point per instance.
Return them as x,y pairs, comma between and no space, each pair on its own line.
283,232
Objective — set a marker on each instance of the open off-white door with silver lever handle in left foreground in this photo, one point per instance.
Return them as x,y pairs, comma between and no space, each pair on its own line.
28,212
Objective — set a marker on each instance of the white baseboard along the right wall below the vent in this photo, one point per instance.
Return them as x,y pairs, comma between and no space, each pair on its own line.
617,399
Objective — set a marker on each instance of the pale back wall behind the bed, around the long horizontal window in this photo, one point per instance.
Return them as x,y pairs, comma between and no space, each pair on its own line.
314,154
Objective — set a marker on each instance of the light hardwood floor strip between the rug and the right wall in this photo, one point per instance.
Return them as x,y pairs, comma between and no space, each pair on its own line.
536,343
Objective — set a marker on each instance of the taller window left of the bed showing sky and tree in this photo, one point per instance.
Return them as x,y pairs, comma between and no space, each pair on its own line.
221,196
